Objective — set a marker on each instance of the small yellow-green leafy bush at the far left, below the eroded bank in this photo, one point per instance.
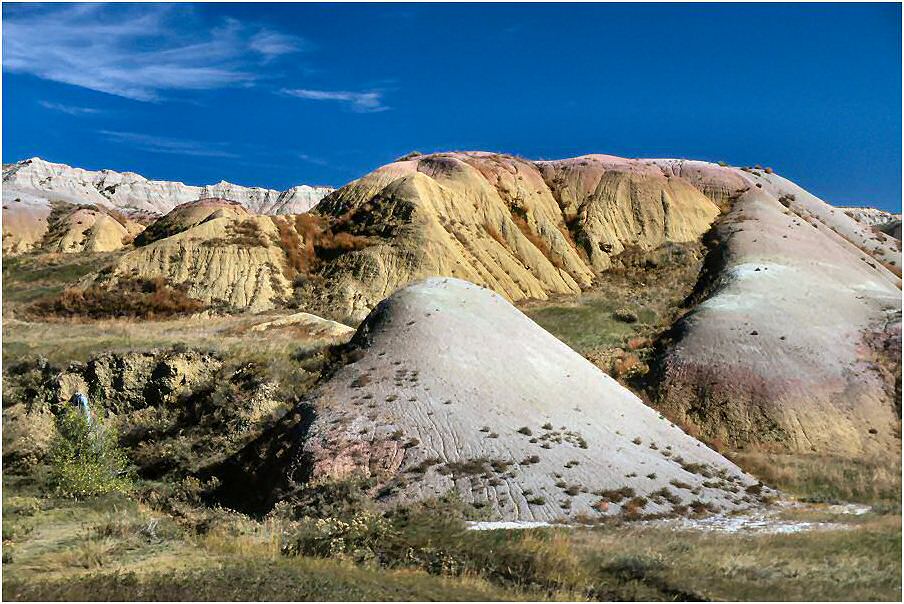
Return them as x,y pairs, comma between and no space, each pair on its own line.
86,459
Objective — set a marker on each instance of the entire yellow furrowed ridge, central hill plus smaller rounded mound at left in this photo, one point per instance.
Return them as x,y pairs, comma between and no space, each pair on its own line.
524,229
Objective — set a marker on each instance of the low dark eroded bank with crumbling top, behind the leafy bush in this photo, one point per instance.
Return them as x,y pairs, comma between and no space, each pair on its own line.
175,410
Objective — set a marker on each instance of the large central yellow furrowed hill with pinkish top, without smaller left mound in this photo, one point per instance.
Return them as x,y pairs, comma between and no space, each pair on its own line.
525,229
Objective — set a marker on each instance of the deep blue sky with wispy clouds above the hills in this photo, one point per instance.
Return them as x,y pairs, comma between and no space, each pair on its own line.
282,94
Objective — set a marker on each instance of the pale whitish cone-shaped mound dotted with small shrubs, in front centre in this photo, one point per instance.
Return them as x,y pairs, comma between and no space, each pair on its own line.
454,389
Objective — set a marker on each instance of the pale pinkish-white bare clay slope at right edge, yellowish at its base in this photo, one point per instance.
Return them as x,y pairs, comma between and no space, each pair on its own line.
797,341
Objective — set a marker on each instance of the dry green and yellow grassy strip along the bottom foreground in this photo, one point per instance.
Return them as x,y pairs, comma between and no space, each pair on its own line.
118,548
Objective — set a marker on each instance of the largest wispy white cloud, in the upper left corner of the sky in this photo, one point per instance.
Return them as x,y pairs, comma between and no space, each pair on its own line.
136,51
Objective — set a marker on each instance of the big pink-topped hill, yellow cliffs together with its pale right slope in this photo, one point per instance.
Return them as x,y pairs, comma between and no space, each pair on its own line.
779,352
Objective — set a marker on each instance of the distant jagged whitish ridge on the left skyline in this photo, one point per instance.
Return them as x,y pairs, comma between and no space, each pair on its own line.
32,186
